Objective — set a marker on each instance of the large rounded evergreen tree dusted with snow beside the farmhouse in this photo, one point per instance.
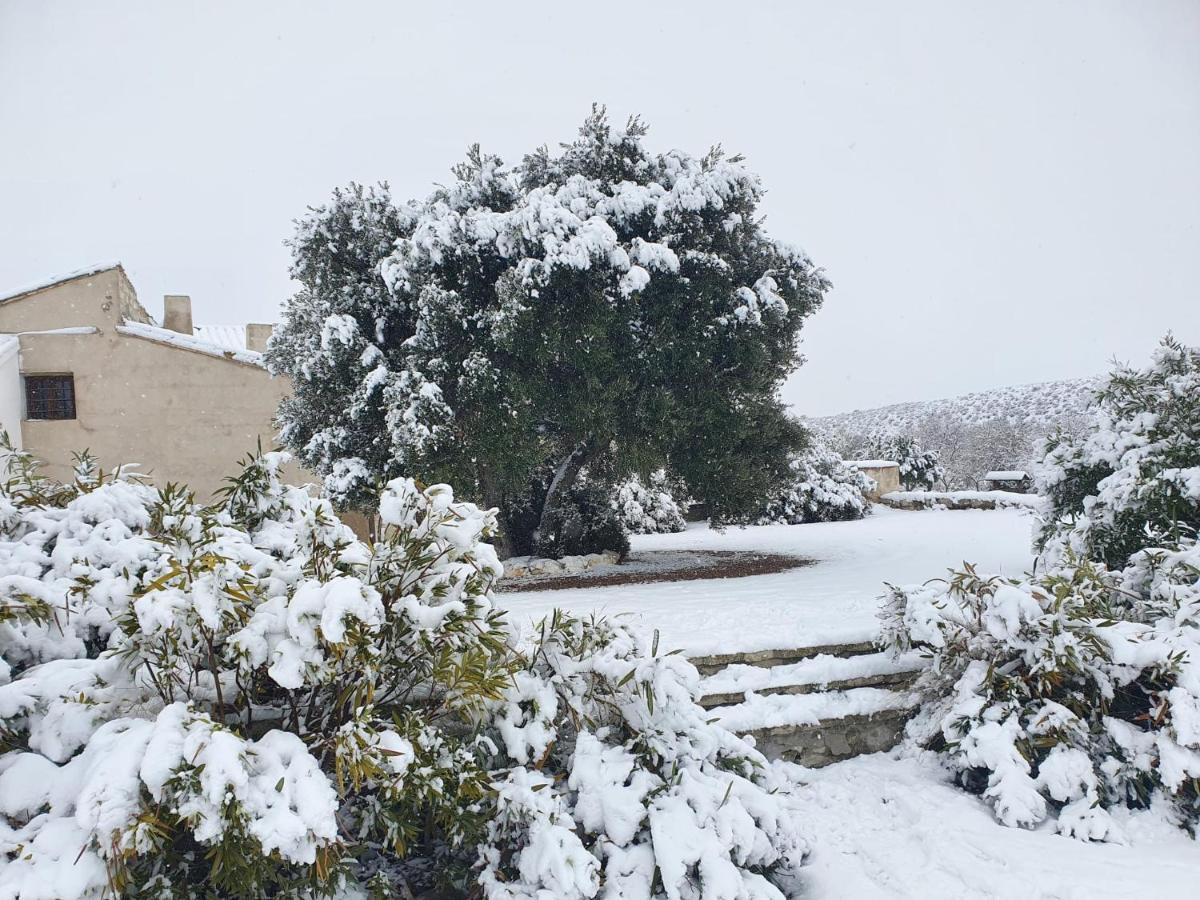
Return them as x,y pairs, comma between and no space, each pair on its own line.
602,308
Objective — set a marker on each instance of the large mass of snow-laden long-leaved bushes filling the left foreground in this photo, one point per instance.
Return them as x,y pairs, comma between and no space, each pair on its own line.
243,700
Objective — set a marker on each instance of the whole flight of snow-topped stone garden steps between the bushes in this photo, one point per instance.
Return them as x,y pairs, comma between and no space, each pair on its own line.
812,705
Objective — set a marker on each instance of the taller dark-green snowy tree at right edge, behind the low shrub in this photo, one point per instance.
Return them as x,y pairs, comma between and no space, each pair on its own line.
1135,478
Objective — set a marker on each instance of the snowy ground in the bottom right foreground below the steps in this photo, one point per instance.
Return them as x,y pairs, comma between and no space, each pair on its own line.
885,827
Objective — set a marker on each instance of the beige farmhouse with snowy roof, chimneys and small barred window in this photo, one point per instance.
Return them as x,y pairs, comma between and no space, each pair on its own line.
85,367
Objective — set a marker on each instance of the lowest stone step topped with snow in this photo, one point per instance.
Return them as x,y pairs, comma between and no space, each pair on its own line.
818,729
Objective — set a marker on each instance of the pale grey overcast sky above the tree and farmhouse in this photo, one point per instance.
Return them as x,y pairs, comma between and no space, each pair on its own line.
1001,193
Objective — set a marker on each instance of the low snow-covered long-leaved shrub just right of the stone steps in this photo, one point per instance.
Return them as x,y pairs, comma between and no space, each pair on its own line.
1069,694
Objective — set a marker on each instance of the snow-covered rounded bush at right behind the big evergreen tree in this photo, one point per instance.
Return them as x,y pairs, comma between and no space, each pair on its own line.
823,489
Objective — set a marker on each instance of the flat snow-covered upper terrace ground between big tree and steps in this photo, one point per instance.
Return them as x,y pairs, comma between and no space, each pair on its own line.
835,601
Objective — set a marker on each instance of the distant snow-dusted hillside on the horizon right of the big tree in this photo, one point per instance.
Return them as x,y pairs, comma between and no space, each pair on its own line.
1037,406
